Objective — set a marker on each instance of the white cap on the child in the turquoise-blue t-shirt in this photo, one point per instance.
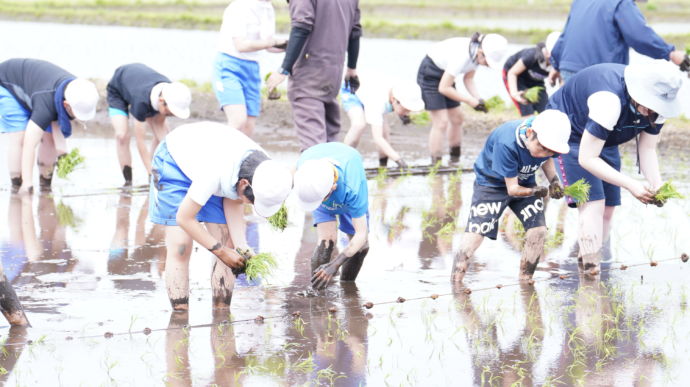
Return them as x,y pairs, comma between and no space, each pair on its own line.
313,182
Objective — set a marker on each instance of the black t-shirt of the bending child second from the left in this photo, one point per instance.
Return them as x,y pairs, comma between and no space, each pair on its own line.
130,90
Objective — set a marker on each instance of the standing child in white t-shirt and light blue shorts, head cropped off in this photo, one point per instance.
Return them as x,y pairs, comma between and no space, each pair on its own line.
248,28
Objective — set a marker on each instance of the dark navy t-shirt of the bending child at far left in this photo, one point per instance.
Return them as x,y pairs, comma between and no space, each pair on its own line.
33,83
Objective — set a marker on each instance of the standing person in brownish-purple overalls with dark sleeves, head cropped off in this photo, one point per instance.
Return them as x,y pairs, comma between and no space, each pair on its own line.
315,55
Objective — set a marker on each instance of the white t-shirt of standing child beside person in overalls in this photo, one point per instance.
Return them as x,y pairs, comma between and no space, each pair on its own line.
249,19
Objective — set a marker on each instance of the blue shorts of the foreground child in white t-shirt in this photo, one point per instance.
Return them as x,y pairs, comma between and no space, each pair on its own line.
169,187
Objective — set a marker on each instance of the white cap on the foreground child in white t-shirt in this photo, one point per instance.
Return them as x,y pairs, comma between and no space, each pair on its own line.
271,184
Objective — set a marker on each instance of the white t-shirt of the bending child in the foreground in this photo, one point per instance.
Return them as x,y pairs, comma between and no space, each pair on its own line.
210,154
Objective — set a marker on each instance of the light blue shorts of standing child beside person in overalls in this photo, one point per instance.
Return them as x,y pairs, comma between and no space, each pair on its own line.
237,82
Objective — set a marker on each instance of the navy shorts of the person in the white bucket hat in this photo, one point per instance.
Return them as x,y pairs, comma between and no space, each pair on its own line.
570,171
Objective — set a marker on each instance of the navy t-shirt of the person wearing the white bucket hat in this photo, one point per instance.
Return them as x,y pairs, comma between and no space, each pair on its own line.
572,98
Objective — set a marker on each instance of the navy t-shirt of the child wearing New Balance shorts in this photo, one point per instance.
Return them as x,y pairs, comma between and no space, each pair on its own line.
505,155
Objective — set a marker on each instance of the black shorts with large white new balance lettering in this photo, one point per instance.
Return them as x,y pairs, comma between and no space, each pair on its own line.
488,203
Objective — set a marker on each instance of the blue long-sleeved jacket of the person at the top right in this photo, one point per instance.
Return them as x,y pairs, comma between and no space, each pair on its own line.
603,31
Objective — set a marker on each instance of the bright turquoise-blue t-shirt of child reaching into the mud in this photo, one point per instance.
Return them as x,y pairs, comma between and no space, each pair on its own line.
351,195
